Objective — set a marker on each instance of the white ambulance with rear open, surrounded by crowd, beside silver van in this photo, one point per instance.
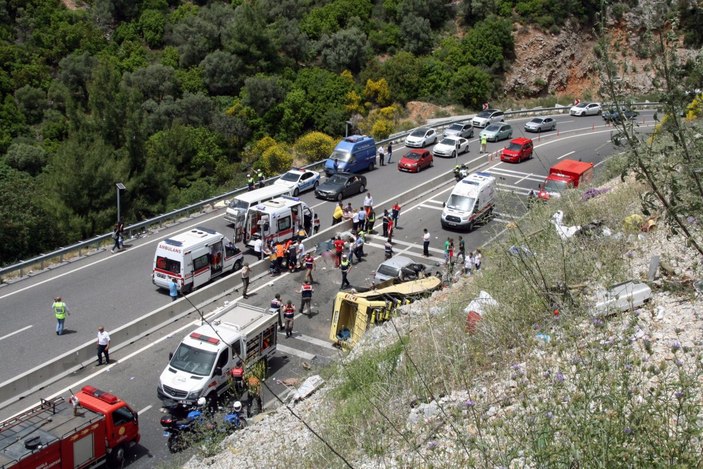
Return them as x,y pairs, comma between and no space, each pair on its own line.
278,219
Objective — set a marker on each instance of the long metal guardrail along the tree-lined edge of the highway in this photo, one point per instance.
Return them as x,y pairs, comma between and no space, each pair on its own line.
58,256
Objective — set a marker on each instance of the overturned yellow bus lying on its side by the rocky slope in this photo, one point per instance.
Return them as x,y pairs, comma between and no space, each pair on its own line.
354,312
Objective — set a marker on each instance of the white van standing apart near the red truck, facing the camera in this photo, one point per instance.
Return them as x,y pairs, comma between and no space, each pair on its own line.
471,200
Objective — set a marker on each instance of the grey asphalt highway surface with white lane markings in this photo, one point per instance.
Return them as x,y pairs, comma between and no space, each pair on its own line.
115,289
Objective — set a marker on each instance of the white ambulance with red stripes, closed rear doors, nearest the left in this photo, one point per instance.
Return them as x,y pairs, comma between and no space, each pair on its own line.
193,258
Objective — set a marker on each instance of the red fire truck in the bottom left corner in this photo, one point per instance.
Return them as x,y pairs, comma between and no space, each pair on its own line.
91,427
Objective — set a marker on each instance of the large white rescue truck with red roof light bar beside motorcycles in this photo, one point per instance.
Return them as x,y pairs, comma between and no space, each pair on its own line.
201,364
